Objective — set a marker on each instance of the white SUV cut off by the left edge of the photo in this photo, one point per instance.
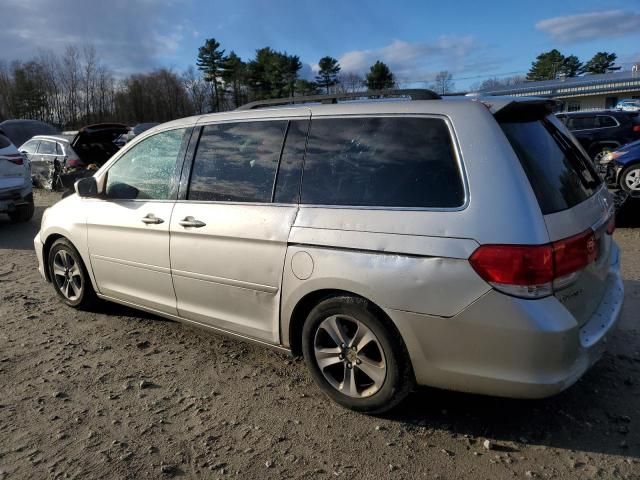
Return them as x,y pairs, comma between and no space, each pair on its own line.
16,195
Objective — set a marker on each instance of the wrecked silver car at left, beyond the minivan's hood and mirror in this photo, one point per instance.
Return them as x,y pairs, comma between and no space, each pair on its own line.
51,157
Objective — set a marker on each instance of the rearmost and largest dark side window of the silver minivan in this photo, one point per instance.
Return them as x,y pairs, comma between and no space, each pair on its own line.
386,162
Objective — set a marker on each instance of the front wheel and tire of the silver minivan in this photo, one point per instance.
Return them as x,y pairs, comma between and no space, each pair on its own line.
69,276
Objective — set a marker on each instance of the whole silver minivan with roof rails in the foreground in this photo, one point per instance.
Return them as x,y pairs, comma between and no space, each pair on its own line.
453,242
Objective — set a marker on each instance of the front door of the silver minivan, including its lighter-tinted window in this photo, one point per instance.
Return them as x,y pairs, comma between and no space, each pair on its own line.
128,229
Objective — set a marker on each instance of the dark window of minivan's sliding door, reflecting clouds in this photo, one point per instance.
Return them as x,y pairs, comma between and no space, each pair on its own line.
237,162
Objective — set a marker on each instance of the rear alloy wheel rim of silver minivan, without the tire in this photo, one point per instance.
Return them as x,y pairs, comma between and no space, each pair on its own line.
350,356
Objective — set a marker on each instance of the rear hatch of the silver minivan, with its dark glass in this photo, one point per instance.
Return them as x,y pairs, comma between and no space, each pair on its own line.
577,208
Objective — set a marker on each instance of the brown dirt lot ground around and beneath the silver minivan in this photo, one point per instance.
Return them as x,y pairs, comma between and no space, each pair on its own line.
73,404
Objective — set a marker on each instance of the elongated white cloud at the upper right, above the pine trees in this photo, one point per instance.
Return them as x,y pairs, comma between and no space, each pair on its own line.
591,25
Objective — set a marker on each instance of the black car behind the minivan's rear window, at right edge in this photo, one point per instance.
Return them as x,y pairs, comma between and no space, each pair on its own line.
600,132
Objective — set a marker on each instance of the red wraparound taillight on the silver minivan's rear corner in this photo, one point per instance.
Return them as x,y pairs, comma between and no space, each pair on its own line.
534,271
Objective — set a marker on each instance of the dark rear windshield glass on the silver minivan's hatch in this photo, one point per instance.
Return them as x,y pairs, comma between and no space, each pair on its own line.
560,174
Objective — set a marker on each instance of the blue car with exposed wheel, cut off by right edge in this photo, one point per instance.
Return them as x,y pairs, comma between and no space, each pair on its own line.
621,168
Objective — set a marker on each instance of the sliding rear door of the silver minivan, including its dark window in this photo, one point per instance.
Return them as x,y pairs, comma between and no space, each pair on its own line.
229,233
